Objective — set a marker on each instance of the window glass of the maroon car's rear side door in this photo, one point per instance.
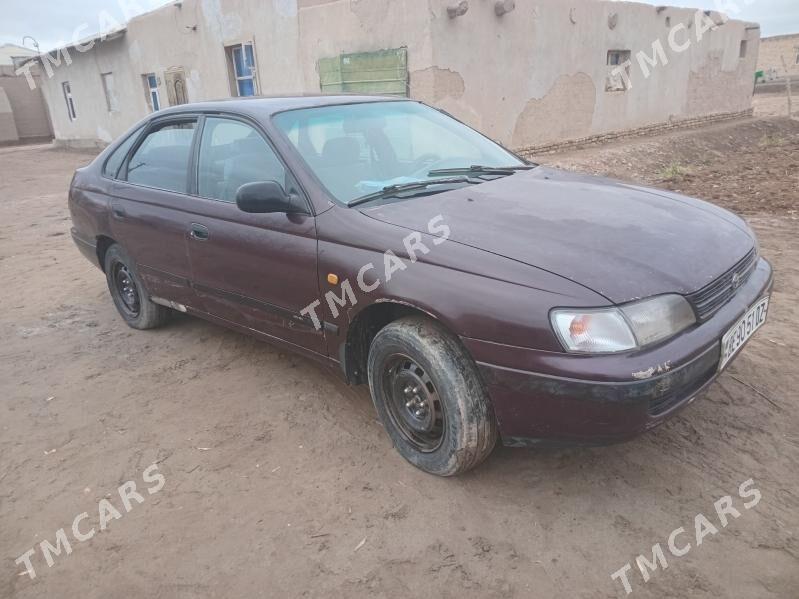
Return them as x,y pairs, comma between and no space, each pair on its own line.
162,159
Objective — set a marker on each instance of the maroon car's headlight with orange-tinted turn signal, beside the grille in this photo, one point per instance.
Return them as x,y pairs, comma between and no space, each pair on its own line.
635,325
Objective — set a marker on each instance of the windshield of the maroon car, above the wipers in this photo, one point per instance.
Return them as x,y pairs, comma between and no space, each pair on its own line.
359,149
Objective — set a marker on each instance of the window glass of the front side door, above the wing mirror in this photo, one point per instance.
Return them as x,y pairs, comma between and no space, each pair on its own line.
232,154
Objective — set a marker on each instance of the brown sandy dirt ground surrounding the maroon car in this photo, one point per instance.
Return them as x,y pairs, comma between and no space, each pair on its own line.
280,482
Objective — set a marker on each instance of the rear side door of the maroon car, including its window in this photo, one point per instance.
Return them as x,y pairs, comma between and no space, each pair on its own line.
149,207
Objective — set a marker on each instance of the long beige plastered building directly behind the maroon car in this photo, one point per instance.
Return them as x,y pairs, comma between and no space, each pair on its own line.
528,73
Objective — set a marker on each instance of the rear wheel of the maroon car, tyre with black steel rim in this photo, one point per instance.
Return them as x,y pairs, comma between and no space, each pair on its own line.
129,294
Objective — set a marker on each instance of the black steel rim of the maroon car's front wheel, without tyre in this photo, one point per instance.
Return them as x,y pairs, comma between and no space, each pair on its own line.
413,403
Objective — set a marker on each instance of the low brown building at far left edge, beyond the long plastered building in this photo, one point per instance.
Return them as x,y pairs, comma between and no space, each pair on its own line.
23,113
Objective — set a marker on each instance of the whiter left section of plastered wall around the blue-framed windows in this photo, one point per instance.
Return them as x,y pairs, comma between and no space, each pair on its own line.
193,36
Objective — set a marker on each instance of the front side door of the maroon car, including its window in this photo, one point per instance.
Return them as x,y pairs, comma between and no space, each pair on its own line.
255,270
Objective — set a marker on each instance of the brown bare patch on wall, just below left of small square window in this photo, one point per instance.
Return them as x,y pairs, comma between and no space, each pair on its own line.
542,118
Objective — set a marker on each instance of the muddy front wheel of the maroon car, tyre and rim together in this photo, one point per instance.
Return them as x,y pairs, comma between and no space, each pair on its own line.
430,398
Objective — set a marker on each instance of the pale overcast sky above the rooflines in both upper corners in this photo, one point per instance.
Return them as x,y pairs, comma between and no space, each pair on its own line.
53,22
